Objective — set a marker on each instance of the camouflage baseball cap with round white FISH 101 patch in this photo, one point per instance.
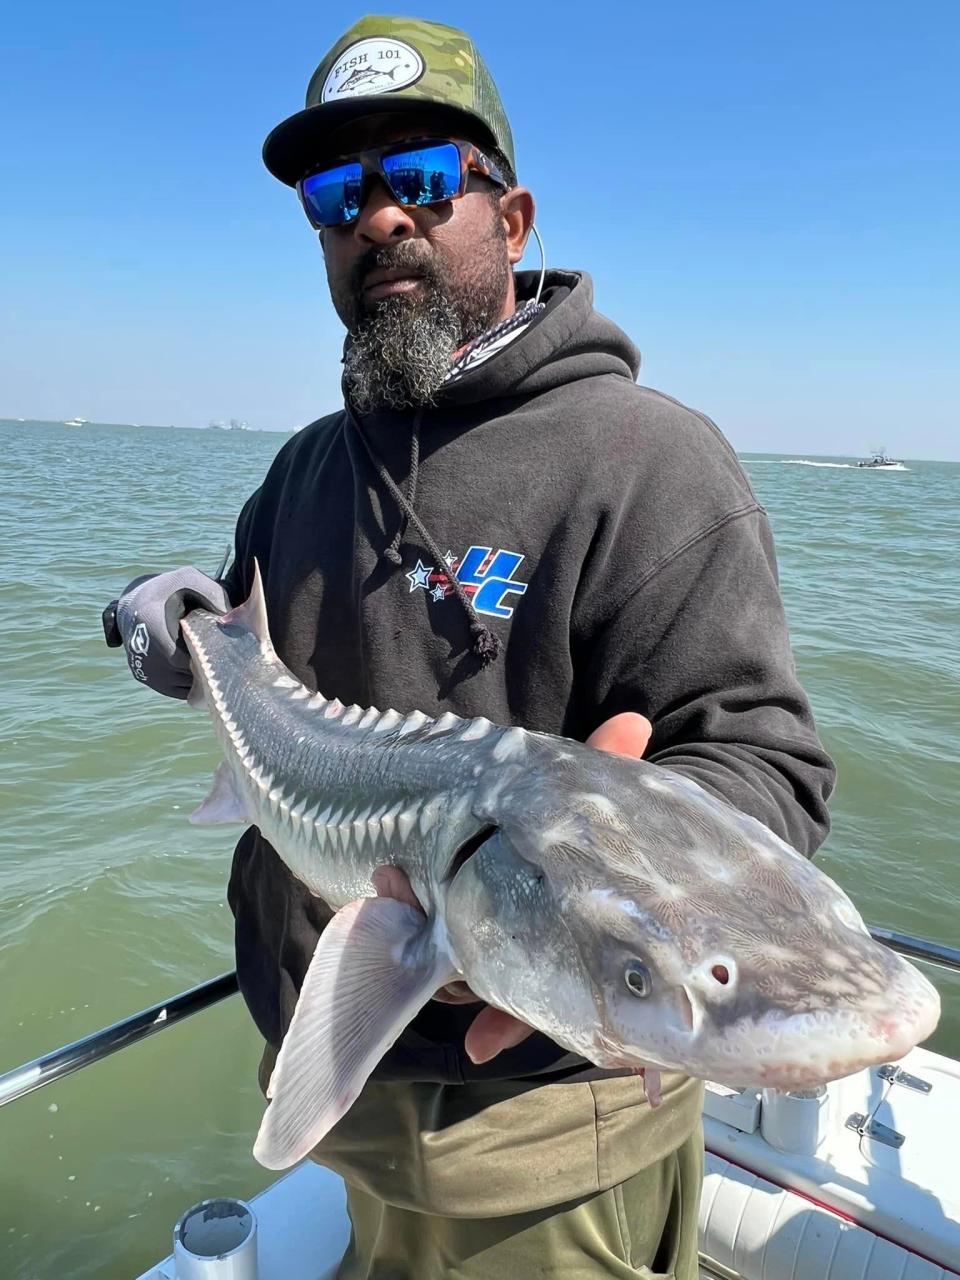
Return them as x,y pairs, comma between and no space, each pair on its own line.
391,66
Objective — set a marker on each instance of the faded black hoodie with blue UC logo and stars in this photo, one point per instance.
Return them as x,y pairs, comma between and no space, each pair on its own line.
607,536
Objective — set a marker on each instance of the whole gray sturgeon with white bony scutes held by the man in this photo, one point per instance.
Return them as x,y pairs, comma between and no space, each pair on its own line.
615,906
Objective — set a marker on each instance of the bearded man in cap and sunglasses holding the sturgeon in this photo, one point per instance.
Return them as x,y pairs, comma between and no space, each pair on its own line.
499,523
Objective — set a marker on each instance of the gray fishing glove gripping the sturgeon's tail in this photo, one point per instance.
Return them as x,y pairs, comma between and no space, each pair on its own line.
147,621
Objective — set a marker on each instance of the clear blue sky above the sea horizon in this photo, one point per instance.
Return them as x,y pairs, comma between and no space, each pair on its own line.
766,194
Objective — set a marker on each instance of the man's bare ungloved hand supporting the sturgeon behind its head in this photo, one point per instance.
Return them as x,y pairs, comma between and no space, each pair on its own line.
493,1031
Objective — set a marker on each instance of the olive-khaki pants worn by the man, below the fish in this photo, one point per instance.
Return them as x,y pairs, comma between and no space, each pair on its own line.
516,1181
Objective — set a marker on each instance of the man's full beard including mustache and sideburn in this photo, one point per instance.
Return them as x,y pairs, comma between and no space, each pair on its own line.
400,349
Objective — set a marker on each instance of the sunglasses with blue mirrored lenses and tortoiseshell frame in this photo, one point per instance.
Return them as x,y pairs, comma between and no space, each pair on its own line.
426,172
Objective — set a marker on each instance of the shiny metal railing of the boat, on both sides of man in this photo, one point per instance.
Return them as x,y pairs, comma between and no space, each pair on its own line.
92,1049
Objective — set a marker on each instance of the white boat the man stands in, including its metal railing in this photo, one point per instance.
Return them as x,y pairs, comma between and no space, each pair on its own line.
860,1181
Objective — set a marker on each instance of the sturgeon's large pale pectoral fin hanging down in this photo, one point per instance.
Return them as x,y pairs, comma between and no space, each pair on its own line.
374,968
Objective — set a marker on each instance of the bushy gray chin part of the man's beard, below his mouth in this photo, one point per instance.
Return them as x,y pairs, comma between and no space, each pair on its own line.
400,355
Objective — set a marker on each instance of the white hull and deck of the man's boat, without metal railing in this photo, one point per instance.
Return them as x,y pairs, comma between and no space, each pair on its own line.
853,1209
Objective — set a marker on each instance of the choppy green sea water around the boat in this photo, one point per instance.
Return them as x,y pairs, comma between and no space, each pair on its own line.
111,902
